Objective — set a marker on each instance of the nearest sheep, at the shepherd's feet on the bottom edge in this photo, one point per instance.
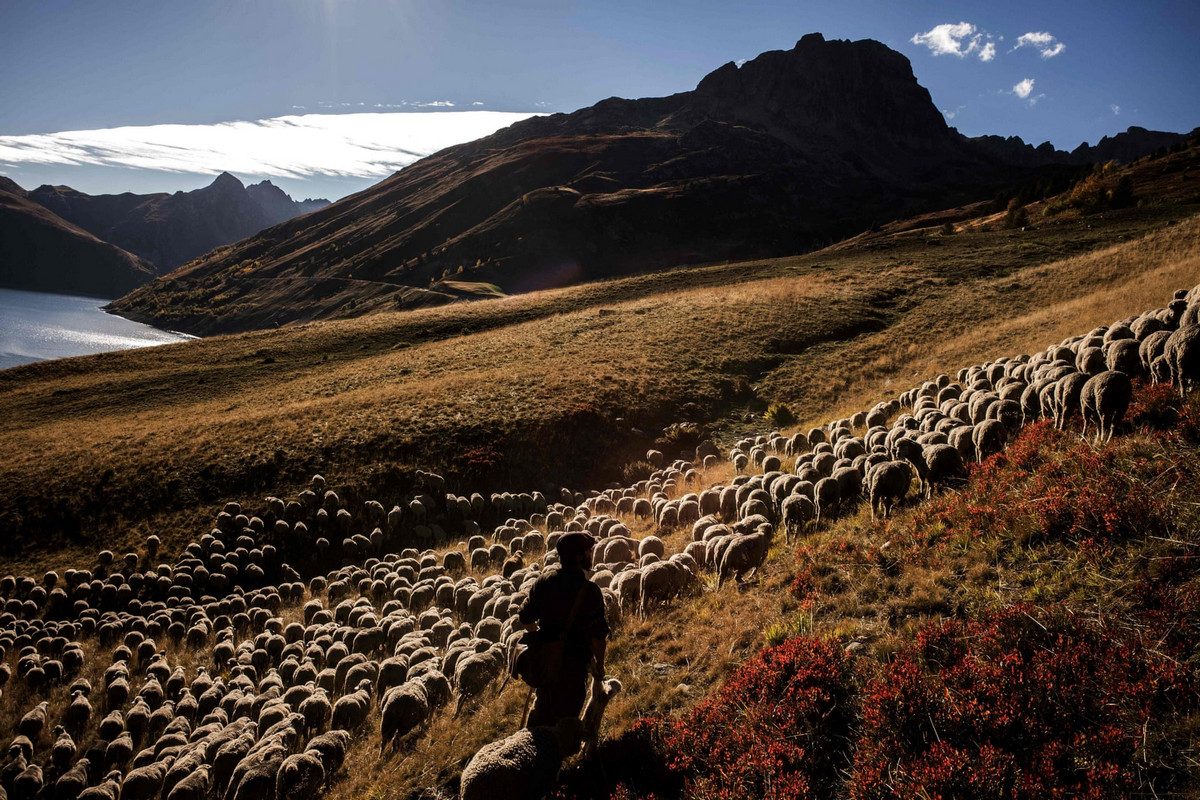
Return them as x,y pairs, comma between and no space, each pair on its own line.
524,766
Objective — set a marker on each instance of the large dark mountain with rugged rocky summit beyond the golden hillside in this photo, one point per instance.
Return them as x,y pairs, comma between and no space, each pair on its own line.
787,153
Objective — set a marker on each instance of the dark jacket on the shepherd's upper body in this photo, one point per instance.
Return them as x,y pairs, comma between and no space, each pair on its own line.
550,605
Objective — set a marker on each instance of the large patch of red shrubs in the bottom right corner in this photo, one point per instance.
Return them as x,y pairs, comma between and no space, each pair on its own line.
1018,705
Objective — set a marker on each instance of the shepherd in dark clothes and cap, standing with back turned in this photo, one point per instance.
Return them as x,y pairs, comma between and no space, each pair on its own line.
566,615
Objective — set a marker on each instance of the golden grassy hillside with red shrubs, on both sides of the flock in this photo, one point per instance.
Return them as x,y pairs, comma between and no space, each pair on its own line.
1033,634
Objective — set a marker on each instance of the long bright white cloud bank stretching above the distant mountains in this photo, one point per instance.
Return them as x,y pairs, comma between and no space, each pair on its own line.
359,146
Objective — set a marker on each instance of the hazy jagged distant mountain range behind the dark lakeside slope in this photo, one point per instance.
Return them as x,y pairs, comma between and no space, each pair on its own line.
173,230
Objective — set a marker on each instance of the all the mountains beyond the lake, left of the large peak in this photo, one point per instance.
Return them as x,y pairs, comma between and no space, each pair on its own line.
57,239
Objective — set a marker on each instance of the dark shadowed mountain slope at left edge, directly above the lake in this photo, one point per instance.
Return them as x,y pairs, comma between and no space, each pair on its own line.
43,252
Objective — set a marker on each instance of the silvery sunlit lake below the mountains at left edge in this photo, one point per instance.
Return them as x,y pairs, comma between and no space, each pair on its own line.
35,327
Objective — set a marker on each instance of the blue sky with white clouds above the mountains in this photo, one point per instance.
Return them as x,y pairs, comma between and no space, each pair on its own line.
327,97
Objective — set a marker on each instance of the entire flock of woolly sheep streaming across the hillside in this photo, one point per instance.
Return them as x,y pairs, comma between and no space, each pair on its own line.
224,673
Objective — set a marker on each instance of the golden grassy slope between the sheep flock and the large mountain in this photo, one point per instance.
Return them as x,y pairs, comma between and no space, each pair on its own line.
561,387
